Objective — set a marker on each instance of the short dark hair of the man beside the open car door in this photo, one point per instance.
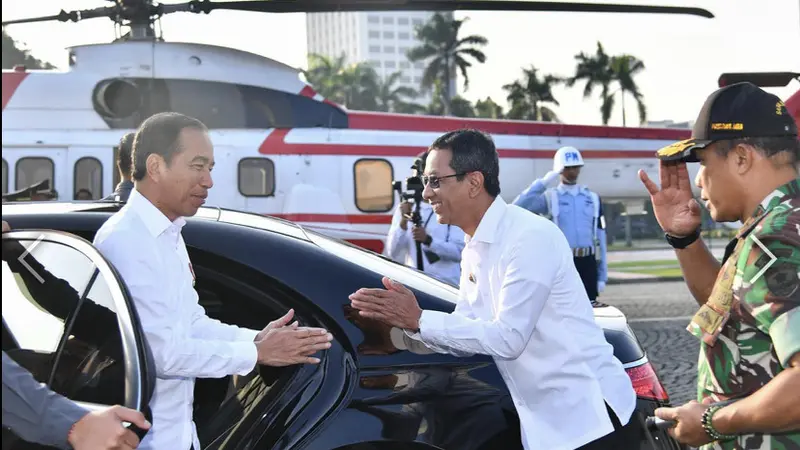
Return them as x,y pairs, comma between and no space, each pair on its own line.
159,135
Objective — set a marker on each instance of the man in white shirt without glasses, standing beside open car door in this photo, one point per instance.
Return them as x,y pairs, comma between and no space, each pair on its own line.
172,161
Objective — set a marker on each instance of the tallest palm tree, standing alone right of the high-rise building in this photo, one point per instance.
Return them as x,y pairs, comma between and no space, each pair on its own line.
448,52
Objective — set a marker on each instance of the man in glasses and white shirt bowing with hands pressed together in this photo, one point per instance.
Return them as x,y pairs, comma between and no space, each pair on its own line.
522,302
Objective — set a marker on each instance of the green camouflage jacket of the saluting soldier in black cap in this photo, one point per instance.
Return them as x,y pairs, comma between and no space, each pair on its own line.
763,330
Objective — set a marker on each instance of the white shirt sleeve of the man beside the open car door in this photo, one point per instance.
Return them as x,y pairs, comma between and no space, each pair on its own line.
174,354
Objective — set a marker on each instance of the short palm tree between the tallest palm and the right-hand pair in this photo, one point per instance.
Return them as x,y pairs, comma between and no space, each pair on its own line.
527,96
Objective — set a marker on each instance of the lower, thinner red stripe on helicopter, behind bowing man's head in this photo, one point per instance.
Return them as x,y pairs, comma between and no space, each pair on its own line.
275,144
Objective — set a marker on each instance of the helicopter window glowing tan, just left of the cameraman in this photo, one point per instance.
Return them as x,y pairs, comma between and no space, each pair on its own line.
373,185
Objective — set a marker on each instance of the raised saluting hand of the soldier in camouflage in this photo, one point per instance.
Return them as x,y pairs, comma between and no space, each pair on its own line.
676,210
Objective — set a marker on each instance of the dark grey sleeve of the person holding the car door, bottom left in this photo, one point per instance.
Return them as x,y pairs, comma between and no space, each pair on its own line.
34,412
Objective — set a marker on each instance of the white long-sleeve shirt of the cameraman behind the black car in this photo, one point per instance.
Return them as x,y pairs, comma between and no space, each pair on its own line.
446,241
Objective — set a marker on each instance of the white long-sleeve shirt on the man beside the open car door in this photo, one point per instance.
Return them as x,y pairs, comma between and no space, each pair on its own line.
150,255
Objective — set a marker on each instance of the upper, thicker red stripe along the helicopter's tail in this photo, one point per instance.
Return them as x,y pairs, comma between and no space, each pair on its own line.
405,122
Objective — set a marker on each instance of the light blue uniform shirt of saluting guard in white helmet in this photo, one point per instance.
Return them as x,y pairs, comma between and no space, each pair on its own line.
575,216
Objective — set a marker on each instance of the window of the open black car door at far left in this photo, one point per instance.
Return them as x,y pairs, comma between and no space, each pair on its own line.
62,322
